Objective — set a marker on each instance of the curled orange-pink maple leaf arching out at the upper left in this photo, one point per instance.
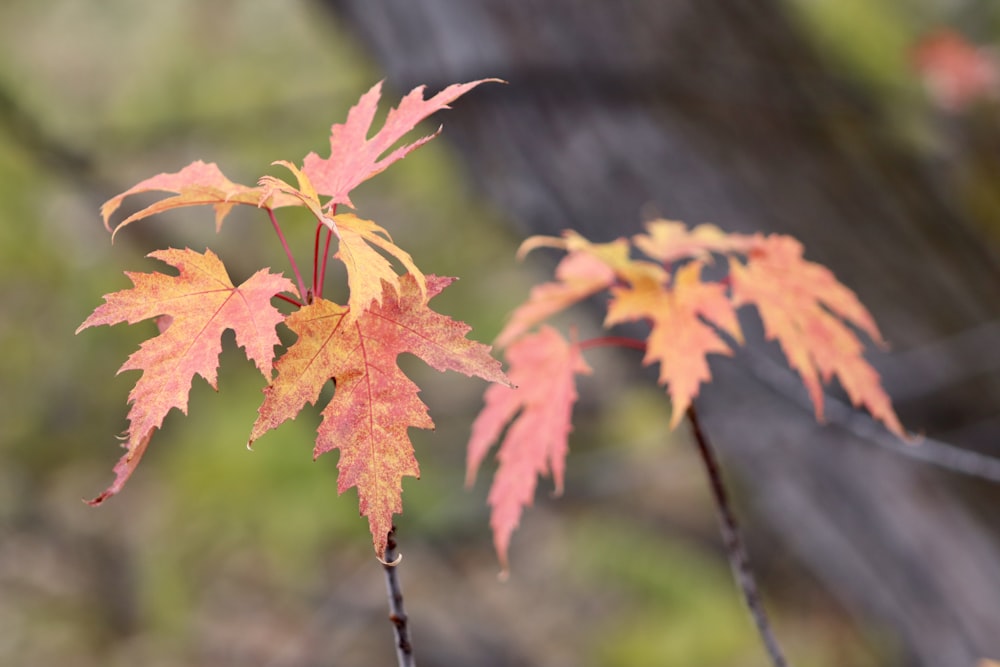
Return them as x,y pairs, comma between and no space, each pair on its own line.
197,184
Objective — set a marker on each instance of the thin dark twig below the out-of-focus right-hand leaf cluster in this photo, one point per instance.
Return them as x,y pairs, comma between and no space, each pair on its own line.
735,550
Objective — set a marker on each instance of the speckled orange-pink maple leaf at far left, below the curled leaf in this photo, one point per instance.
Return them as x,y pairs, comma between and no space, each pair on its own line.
194,308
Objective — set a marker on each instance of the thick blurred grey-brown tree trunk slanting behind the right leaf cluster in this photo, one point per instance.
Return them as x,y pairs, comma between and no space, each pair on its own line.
719,110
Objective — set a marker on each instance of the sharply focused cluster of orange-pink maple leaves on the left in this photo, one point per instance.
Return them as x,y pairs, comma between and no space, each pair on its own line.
355,345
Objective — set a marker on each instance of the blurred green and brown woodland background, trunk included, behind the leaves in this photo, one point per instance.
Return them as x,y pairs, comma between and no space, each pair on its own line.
867,129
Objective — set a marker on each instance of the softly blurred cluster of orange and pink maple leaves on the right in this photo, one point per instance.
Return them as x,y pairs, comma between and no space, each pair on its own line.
801,304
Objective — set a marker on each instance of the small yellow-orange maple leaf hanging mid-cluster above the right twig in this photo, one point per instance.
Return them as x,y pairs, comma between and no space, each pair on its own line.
679,339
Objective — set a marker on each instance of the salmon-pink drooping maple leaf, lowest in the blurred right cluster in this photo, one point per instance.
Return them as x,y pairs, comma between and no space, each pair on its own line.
543,366
